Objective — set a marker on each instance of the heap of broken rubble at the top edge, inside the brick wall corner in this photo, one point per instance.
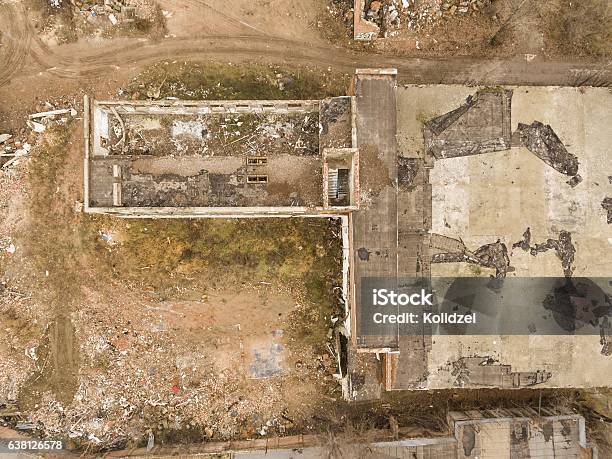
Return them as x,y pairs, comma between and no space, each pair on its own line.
392,15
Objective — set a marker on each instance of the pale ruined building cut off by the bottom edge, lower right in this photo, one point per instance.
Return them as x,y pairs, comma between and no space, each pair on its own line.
475,434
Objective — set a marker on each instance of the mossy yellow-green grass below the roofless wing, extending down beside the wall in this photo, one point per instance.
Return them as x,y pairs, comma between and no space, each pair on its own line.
184,258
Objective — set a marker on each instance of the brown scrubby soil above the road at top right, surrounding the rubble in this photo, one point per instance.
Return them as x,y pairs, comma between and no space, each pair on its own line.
501,28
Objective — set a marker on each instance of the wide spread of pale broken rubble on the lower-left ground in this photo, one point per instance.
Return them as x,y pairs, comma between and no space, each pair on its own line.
142,374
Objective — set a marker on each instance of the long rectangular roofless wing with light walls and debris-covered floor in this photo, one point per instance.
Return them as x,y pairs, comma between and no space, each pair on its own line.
221,158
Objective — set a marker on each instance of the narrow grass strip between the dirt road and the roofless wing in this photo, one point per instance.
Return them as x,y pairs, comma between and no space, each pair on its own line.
217,81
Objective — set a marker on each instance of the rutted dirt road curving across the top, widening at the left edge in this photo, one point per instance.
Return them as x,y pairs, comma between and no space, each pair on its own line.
26,60
